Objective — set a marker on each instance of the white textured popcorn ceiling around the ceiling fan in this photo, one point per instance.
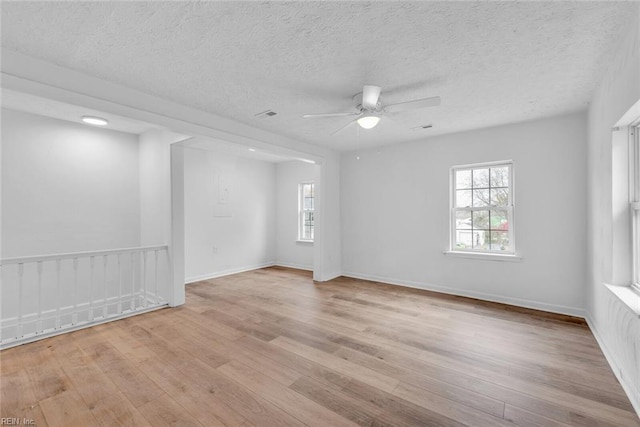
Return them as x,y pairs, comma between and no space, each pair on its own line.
491,62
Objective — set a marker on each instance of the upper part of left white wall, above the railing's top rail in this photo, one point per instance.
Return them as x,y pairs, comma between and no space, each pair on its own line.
67,187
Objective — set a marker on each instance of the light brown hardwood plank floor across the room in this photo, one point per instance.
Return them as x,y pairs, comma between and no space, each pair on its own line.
272,348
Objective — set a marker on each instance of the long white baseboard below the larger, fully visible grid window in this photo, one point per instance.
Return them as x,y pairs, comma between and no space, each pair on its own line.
553,308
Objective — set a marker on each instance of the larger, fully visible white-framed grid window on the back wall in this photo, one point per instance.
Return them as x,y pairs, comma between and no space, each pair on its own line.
482,208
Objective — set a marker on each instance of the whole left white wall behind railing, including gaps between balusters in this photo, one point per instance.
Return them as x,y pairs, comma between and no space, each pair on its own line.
66,187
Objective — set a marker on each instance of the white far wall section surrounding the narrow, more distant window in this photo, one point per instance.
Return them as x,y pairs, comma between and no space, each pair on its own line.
289,251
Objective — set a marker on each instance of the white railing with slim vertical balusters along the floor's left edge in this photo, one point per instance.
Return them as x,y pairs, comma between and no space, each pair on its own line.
46,295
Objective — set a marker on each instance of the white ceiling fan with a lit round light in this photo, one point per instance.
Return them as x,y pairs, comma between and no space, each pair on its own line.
370,107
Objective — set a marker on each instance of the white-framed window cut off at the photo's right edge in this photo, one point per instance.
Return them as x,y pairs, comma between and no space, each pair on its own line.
634,198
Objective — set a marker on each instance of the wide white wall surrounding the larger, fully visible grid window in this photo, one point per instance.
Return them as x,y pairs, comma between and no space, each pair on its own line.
395,214
